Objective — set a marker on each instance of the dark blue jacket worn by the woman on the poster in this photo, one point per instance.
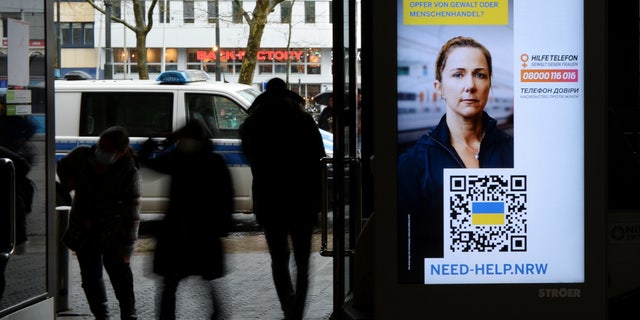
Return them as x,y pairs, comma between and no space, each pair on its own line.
420,191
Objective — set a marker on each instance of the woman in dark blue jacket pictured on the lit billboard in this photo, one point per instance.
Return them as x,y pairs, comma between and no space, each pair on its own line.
465,137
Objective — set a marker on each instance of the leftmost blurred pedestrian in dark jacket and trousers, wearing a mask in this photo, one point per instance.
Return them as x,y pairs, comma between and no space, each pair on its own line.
104,217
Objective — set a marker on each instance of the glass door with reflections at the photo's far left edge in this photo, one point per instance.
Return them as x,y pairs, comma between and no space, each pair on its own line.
25,282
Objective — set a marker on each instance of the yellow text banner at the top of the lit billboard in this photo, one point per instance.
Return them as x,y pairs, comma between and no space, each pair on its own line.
448,12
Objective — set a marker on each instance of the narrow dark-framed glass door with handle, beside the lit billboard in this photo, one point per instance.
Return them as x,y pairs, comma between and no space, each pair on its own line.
343,217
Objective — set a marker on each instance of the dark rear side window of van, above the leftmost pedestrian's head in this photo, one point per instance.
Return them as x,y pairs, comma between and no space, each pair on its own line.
144,114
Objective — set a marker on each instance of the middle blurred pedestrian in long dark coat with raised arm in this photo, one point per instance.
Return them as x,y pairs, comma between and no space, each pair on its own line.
200,209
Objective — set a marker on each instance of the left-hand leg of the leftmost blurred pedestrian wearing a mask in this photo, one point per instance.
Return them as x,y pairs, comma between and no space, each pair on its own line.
90,263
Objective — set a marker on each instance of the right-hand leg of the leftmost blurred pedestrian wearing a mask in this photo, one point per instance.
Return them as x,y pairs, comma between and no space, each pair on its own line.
121,276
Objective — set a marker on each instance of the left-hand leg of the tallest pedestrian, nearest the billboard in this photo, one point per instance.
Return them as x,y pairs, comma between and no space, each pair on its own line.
278,244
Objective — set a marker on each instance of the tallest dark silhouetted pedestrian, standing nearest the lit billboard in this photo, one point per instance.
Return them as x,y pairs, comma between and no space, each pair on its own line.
287,185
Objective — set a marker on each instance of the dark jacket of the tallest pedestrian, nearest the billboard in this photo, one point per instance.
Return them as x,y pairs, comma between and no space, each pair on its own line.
284,147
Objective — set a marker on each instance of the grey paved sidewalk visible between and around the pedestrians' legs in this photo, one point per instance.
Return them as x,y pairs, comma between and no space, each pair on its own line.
248,285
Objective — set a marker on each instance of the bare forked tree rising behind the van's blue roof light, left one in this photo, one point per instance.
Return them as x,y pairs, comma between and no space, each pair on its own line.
140,29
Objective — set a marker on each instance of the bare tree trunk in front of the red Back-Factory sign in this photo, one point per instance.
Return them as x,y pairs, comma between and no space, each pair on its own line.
257,21
